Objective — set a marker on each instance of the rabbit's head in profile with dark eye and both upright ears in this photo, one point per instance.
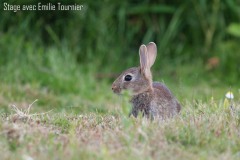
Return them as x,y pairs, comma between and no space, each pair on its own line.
138,79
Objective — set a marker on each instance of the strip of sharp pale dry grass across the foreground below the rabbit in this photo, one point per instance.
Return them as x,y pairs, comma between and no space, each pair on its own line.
201,133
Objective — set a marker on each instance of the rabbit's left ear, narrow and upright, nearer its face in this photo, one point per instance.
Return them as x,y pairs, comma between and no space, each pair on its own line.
145,69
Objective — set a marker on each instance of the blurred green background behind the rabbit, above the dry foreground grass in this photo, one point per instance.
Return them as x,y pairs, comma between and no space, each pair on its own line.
68,59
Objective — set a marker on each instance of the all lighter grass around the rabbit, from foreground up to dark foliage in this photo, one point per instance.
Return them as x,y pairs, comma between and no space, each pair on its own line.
76,115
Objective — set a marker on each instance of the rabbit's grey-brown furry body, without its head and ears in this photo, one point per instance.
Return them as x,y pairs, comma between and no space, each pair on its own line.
157,104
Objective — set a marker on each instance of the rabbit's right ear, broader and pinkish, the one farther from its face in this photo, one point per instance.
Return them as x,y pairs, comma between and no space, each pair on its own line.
151,53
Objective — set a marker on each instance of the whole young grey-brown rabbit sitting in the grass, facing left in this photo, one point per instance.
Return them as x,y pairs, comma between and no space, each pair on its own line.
152,99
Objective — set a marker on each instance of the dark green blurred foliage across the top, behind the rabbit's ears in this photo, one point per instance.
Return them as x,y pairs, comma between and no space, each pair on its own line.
103,33
